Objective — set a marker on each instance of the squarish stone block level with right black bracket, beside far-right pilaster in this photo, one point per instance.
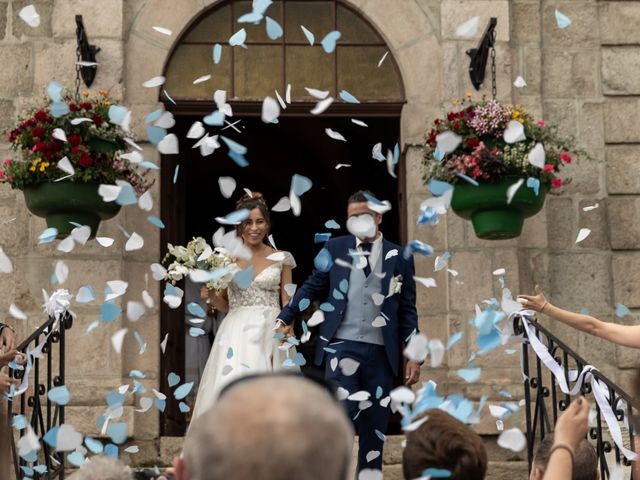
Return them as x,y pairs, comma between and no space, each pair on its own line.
570,74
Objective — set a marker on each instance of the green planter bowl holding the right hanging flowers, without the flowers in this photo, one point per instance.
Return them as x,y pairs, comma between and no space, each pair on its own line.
486,206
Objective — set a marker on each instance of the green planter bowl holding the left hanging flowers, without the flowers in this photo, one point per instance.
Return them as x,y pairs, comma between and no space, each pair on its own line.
63,202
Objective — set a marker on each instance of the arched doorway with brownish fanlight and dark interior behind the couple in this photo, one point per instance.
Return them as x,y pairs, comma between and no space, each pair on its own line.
298,143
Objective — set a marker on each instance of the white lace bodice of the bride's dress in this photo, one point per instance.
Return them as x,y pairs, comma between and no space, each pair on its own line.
264,291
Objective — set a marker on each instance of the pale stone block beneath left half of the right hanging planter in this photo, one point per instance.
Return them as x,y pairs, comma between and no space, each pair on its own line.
474,270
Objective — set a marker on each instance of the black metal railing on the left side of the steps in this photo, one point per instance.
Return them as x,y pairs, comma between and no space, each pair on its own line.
47,372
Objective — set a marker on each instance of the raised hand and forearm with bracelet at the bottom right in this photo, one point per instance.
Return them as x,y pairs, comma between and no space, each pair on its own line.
571,428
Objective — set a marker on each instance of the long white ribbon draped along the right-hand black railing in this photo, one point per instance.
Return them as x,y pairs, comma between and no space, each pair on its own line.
599,392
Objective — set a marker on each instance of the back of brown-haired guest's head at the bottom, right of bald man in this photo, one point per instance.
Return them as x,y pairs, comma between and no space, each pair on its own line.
442,442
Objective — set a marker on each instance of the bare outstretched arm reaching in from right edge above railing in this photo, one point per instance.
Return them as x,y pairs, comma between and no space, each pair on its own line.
625,335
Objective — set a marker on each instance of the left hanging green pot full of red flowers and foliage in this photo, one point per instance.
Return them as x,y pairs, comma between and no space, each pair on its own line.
67,148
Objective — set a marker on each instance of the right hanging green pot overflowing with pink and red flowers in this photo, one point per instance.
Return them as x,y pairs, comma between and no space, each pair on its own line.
481,149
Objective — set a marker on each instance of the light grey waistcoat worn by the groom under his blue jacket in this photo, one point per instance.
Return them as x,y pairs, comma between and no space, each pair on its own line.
361,310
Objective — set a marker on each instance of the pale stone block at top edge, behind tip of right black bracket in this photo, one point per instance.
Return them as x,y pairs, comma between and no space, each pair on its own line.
456,12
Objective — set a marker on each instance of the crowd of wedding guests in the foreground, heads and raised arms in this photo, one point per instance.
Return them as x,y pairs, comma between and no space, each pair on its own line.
283,426
